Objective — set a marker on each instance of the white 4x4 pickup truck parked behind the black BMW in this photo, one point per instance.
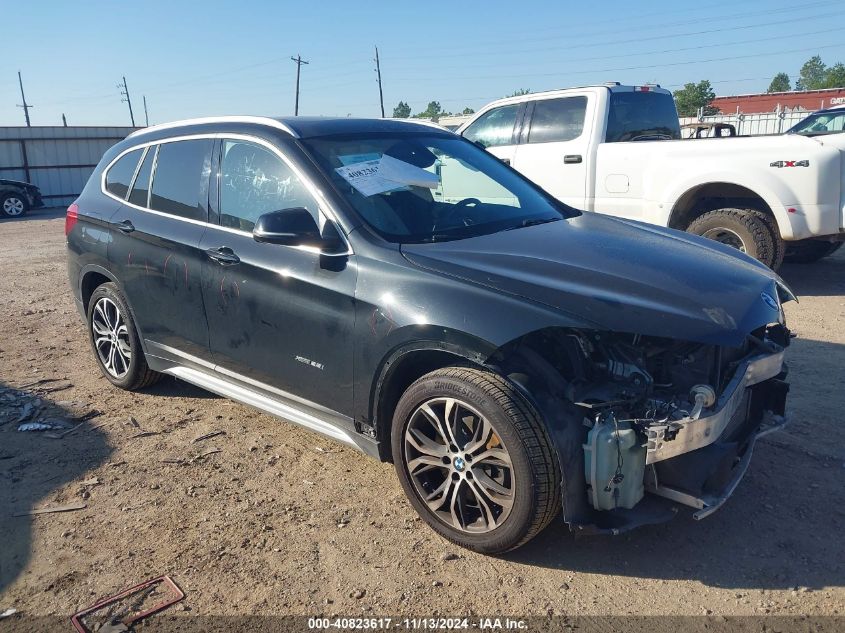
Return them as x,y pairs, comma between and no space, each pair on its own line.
616,150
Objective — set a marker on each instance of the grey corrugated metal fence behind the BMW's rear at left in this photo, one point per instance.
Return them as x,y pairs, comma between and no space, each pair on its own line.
57,159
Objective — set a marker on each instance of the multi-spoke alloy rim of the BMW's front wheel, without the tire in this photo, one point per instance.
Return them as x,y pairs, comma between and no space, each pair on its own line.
459,465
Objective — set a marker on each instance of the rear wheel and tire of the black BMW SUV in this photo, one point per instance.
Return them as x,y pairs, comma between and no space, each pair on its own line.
115,342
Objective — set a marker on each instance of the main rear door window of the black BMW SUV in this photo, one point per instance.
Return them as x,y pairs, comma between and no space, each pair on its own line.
180,180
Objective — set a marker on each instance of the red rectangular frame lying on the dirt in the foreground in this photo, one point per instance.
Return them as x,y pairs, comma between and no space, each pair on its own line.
120,612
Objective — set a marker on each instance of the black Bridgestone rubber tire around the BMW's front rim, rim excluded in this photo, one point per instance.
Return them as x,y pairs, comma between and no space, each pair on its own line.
535,469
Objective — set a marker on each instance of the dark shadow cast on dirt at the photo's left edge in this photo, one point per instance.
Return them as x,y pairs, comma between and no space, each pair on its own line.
34,473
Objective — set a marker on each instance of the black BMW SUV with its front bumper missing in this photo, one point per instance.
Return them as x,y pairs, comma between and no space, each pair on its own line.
397,288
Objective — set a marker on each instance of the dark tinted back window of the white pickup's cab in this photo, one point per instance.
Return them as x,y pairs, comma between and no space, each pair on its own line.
642,116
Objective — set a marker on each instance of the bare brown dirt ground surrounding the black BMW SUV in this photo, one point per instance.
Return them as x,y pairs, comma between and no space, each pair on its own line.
282,521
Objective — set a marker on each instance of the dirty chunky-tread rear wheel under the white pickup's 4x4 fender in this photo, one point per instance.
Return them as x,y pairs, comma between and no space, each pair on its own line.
744,229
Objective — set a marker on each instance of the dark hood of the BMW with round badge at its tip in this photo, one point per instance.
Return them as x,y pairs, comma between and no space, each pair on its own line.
619,275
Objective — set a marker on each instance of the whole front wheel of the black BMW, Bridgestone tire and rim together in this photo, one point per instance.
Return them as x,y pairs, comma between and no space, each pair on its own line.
503,457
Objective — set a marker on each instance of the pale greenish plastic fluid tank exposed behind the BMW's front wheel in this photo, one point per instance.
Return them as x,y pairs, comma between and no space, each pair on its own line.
602,452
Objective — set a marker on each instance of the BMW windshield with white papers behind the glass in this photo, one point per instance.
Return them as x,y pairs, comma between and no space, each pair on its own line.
429,187
